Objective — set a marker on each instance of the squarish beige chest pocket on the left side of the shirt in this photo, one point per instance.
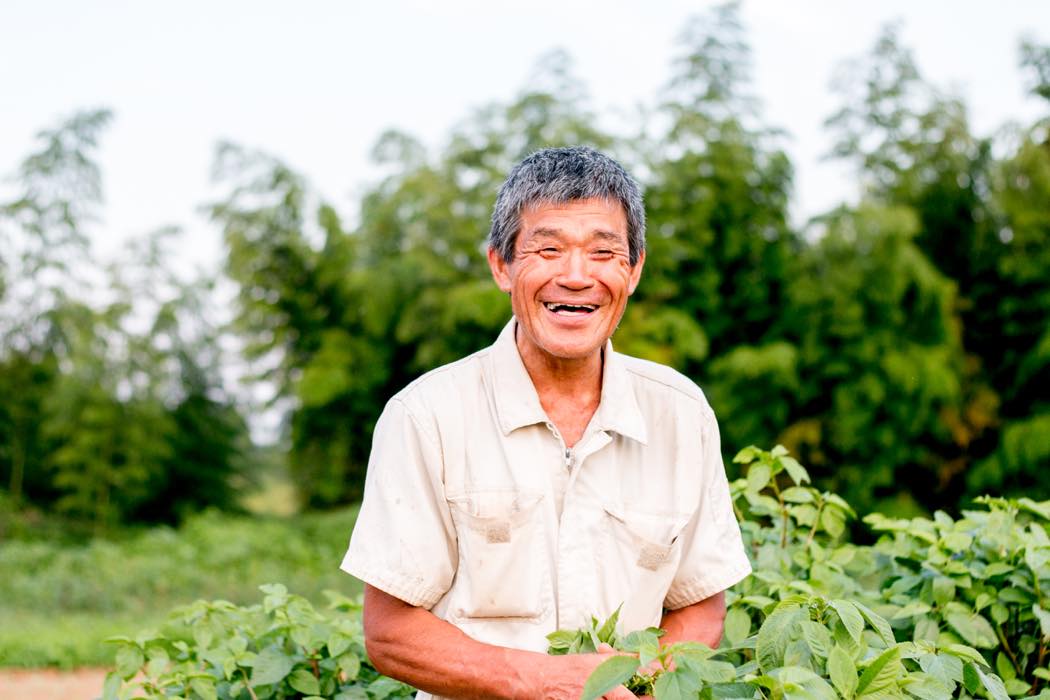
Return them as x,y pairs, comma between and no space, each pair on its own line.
502,568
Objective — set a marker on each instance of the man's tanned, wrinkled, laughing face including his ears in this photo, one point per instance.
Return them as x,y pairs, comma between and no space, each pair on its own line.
570,279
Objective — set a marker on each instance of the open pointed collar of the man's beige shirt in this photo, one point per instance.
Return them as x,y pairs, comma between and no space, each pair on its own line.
518,405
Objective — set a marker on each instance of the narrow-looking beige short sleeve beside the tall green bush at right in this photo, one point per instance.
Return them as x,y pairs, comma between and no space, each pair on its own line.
713,557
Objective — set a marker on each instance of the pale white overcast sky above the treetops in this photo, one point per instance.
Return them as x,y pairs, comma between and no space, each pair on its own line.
317,82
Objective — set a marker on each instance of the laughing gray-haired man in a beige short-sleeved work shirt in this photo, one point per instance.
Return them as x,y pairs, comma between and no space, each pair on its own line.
545,479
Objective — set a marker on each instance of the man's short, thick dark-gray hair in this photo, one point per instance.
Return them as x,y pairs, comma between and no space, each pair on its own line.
557,176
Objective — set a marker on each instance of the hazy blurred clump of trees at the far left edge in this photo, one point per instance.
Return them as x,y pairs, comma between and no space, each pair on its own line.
113,410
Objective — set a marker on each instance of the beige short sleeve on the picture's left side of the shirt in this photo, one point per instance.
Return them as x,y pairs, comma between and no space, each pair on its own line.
404,542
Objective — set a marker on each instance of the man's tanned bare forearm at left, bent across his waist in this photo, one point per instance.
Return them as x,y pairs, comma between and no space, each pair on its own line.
416,647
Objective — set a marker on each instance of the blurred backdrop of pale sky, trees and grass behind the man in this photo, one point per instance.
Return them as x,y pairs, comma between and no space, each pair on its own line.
230,232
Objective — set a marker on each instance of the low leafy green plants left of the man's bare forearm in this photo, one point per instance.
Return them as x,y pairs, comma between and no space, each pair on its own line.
282,648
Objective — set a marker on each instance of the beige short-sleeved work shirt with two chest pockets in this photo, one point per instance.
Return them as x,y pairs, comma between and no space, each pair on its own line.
475,510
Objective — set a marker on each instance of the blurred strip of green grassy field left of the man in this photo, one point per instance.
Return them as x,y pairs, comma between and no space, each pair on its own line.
59,602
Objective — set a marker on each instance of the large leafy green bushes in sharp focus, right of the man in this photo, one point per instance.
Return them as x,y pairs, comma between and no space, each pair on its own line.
936,609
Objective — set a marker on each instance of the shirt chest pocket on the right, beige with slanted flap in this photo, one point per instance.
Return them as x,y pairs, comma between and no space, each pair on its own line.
641,554
